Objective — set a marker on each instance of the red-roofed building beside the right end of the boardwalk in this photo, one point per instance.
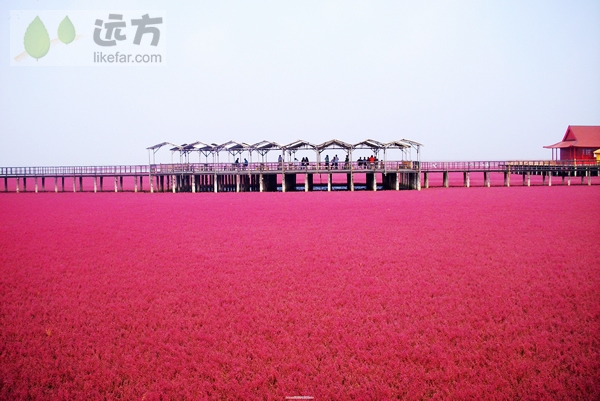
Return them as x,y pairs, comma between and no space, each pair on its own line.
579,143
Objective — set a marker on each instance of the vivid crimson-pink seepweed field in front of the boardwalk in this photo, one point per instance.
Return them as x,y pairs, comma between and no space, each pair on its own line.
480,293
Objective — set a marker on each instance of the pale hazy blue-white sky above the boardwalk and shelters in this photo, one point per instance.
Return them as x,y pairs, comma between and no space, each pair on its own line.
471,80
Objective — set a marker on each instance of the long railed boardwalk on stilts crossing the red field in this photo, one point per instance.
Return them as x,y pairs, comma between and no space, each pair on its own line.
296,176
